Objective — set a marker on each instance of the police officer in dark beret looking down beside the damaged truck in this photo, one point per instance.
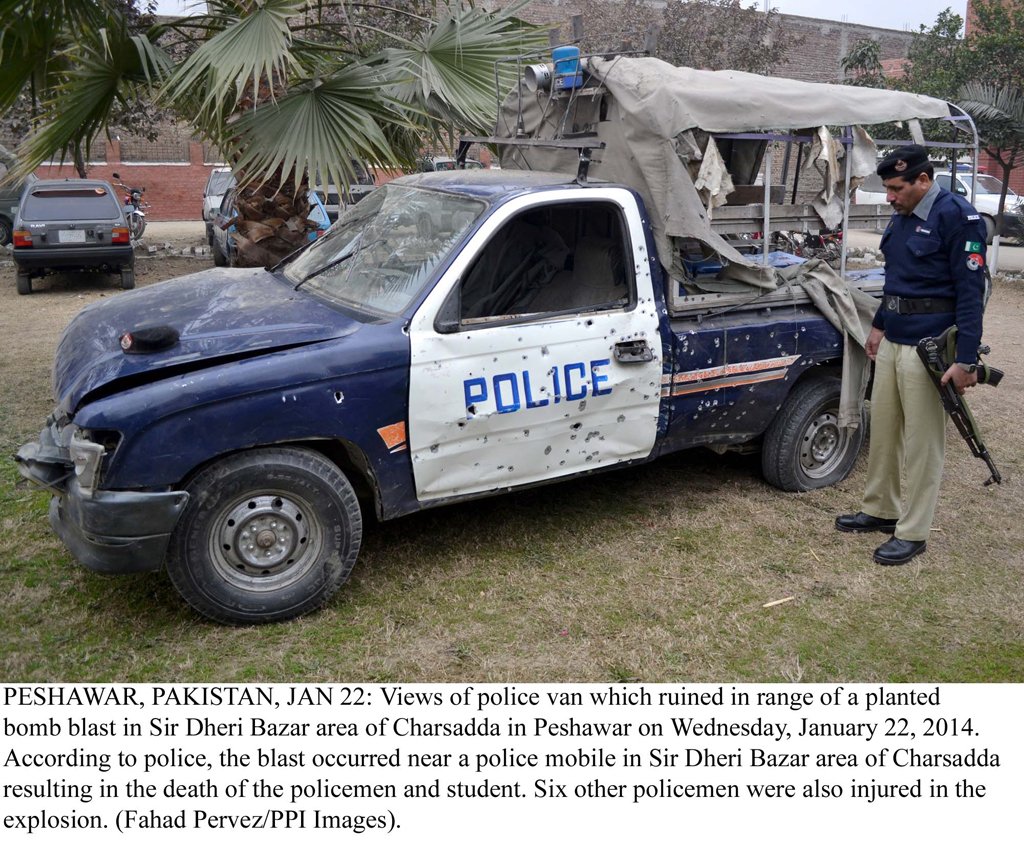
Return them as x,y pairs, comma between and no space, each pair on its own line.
935,257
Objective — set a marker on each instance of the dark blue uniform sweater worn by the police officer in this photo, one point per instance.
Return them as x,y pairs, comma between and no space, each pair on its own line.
943,257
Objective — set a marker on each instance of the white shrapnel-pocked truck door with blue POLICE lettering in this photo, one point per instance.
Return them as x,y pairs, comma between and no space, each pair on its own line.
538,355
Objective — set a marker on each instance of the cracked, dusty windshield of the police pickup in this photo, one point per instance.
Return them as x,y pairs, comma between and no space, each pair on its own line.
381,252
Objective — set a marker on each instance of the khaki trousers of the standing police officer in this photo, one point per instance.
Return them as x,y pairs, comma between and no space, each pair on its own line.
909,443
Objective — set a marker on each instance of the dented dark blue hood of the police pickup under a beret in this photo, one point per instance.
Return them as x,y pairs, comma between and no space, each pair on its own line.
221,315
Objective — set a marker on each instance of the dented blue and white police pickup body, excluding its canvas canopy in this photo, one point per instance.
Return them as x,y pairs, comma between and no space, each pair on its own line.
453,335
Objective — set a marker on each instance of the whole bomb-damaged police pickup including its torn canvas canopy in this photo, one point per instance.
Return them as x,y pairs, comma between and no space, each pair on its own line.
467,333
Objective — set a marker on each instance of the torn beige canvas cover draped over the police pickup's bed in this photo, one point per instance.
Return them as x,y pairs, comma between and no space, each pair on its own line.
647,119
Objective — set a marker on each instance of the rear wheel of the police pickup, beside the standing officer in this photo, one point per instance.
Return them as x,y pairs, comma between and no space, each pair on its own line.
804,448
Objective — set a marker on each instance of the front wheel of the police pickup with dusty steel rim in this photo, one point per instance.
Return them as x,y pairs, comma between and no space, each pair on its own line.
304,523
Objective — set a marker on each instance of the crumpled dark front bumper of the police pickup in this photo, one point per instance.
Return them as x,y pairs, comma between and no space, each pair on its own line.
106,531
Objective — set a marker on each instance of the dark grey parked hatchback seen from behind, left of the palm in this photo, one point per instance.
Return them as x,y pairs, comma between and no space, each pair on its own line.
74,224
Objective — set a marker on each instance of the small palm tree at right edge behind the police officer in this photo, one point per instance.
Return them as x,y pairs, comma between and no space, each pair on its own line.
999,113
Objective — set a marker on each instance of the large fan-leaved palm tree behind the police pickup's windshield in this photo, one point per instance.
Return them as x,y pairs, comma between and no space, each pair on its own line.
284,89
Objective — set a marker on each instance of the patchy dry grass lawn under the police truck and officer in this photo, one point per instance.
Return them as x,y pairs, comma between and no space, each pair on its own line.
661,573
